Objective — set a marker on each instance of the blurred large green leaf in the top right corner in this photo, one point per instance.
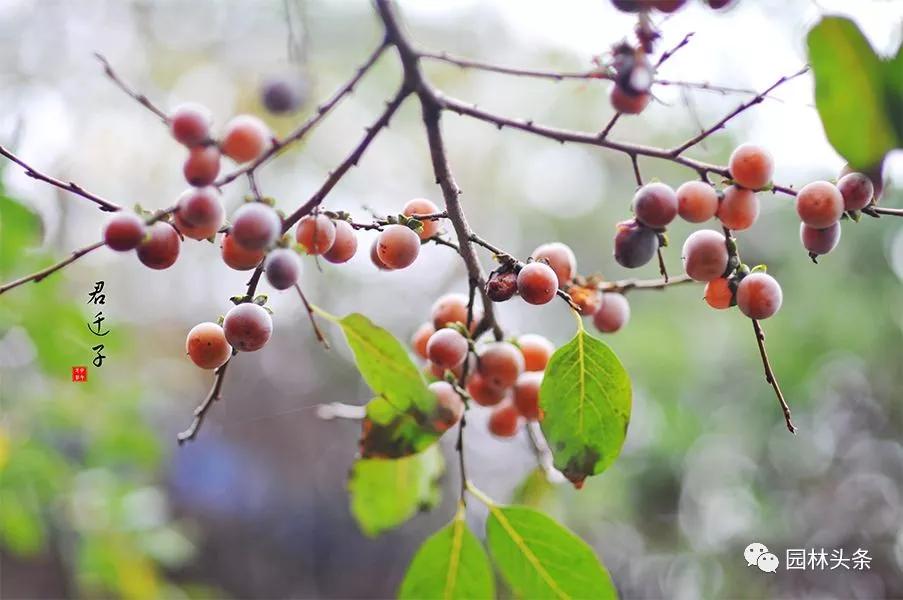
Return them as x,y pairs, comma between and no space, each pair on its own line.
851,93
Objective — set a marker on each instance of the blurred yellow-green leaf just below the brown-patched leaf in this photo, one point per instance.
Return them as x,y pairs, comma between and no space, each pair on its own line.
387,492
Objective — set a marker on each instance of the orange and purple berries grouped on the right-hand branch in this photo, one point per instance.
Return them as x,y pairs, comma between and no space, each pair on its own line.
707,254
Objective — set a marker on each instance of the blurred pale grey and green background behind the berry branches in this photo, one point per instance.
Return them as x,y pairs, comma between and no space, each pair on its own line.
96,499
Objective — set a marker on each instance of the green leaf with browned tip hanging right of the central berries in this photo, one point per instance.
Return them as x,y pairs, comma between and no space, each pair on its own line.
586,398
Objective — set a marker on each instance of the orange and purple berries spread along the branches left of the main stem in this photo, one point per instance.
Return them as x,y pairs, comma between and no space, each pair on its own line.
254,236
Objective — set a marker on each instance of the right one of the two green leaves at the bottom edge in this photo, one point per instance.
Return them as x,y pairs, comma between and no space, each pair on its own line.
539,558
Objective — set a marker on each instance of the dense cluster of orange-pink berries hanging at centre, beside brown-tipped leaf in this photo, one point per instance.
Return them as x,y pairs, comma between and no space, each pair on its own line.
503,375
